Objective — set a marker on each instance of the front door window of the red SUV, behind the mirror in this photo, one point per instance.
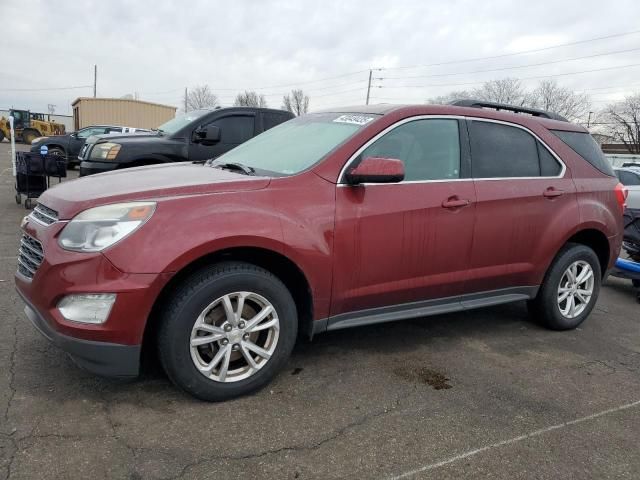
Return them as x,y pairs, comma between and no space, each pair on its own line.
430,149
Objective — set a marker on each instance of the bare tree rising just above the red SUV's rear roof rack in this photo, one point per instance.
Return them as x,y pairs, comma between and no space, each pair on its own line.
552,97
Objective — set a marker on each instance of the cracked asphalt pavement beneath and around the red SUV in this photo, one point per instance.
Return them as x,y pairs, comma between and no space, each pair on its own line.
352,404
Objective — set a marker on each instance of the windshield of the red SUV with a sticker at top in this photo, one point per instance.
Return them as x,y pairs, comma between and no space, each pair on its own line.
294,146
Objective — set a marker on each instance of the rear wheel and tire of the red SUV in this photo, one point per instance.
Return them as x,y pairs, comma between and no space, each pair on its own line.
547,307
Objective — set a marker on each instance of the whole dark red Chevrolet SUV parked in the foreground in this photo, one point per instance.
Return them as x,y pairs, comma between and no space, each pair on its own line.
335,219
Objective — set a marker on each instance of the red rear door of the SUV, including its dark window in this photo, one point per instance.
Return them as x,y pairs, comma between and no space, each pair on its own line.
525,198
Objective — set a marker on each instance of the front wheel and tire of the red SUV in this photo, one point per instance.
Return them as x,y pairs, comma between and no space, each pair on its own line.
190,367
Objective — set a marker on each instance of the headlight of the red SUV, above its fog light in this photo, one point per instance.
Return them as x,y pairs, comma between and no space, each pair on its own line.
98,228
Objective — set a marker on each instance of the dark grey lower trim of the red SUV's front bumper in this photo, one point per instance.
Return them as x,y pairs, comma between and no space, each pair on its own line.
100,358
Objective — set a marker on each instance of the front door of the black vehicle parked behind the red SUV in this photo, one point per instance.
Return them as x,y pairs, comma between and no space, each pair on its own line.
235,129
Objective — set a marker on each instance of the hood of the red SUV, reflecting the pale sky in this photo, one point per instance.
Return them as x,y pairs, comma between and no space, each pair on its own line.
145,183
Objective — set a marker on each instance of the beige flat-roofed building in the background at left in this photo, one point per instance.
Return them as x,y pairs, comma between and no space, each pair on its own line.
89,111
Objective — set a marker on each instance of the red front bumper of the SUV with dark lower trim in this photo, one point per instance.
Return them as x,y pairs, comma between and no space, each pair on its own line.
111,348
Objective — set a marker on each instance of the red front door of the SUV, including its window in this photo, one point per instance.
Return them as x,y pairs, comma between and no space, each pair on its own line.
409,241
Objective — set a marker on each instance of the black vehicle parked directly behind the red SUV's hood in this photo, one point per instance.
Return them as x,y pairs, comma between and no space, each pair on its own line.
198,135
